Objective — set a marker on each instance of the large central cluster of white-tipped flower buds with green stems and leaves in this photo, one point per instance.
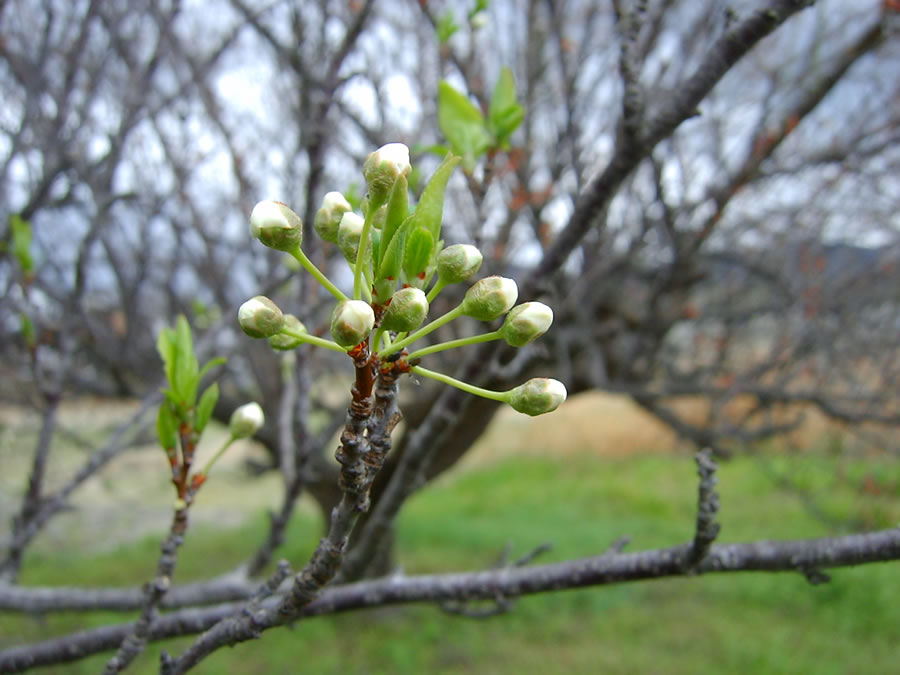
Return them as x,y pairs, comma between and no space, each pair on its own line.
399,265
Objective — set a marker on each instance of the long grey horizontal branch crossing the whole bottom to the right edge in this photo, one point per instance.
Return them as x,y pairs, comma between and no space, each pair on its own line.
802,555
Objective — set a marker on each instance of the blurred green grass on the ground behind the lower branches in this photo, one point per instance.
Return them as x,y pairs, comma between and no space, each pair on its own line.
714,624
